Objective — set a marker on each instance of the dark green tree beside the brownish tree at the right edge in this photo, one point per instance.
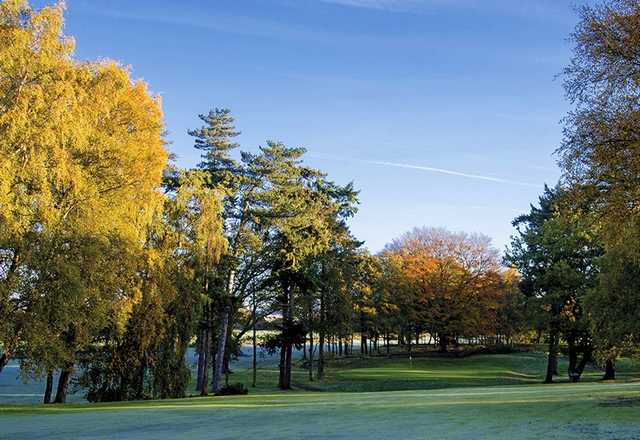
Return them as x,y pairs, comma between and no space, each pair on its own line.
557,256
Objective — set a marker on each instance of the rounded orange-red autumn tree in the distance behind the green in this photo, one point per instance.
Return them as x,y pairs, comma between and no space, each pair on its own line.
450,282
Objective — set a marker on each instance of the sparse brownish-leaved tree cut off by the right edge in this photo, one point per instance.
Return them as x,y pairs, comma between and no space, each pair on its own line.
600,161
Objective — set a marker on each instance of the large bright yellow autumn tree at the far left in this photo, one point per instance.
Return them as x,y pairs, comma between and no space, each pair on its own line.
81,160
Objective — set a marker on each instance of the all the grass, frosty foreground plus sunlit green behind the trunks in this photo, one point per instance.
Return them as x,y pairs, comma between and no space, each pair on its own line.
483,396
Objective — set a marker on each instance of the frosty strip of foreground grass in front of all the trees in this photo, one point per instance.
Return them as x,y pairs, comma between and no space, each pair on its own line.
567,411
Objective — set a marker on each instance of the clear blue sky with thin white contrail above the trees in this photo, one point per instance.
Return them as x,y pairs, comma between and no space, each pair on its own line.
442,112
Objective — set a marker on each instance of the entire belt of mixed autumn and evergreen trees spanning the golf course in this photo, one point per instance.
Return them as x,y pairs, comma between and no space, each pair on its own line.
114,261
